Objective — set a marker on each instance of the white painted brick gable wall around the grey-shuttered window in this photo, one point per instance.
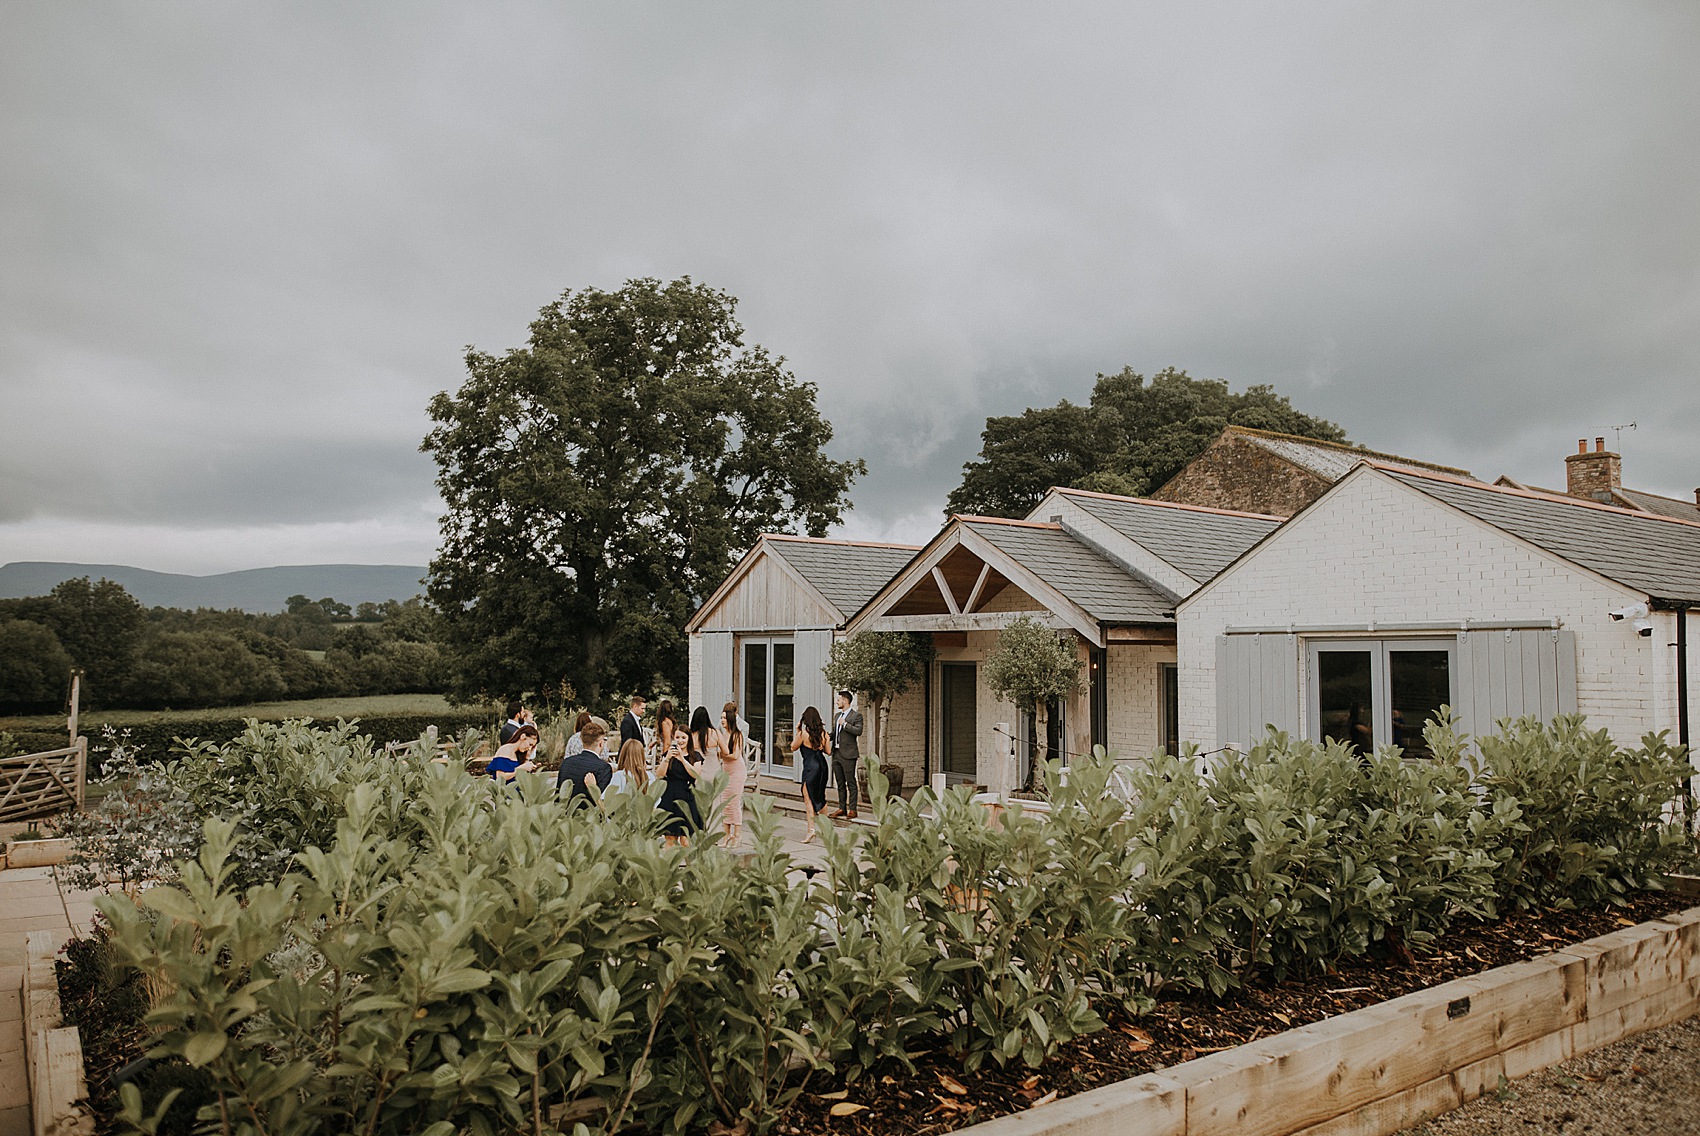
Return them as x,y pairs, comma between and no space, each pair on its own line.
1378,552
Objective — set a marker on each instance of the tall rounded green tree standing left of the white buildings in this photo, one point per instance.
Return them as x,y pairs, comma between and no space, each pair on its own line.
601,480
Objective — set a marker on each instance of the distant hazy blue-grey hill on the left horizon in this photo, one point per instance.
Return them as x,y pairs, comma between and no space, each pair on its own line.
254,589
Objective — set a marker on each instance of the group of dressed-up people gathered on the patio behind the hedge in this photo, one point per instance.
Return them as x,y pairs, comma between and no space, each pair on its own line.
681,758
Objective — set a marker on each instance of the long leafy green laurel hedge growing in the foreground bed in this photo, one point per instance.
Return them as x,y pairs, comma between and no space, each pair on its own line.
385,945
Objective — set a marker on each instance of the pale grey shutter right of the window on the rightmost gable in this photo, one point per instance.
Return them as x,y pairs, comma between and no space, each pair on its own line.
1514,674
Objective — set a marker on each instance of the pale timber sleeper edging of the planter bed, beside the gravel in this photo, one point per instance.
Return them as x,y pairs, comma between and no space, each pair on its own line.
1393,1065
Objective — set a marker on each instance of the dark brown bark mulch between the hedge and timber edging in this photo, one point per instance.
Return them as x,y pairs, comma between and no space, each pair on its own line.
939,1096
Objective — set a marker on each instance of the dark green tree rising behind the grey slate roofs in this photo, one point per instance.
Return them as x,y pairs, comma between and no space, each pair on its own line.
1131,438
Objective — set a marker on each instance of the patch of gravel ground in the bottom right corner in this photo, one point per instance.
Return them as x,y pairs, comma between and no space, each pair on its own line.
1648,1084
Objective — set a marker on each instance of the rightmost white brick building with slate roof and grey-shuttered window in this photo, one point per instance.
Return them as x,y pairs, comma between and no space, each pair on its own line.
1504,598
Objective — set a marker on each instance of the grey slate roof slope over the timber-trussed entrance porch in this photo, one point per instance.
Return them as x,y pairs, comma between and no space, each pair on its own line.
1092,582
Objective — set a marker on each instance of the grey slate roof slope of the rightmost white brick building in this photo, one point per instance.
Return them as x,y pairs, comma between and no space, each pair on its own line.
1652,555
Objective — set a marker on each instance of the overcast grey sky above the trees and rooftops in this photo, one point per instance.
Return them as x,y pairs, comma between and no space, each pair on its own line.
244,244
